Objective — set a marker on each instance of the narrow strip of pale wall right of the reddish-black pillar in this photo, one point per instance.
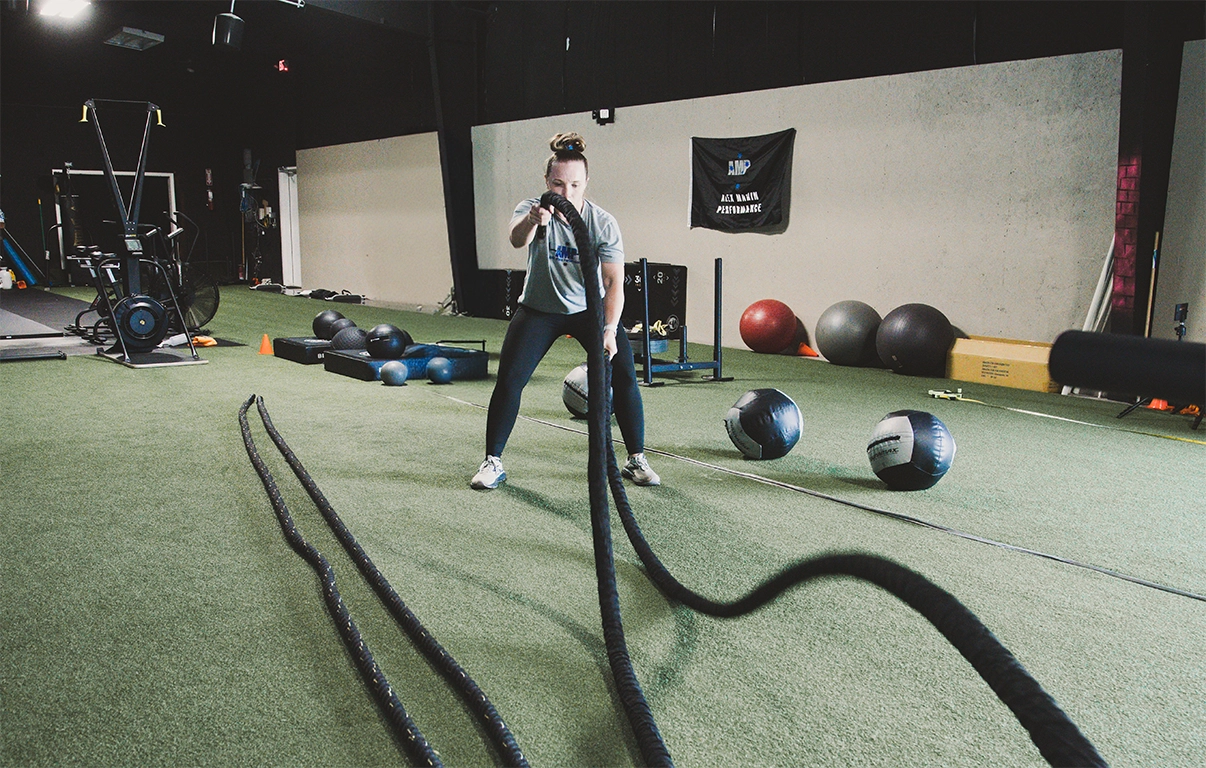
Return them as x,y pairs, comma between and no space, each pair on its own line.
1182,268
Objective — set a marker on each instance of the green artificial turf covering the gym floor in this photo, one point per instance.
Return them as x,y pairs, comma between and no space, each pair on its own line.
155,615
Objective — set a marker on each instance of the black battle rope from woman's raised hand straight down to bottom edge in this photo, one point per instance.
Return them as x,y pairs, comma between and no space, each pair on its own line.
599,379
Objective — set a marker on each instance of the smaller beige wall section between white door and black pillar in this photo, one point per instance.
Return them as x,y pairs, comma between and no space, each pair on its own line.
372,220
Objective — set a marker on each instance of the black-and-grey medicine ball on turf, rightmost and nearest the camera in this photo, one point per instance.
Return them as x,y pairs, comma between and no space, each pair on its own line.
911,450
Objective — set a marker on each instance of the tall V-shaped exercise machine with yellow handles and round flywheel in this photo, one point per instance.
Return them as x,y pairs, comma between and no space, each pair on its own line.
138,321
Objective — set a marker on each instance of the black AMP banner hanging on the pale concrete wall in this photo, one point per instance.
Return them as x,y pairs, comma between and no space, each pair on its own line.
741,184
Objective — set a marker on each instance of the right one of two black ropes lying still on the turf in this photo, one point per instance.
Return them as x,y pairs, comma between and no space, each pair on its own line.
478,703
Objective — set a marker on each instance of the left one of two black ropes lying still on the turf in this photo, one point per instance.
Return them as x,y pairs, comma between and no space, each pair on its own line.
405,729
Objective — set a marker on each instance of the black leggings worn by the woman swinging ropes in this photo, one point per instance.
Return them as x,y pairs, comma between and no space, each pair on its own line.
529,338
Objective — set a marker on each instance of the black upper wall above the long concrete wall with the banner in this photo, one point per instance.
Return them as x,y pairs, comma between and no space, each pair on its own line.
631,52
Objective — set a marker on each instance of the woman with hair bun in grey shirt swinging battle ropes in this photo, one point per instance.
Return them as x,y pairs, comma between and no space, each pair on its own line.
554,304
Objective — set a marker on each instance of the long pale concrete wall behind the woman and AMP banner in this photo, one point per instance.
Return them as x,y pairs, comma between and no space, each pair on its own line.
985,191
